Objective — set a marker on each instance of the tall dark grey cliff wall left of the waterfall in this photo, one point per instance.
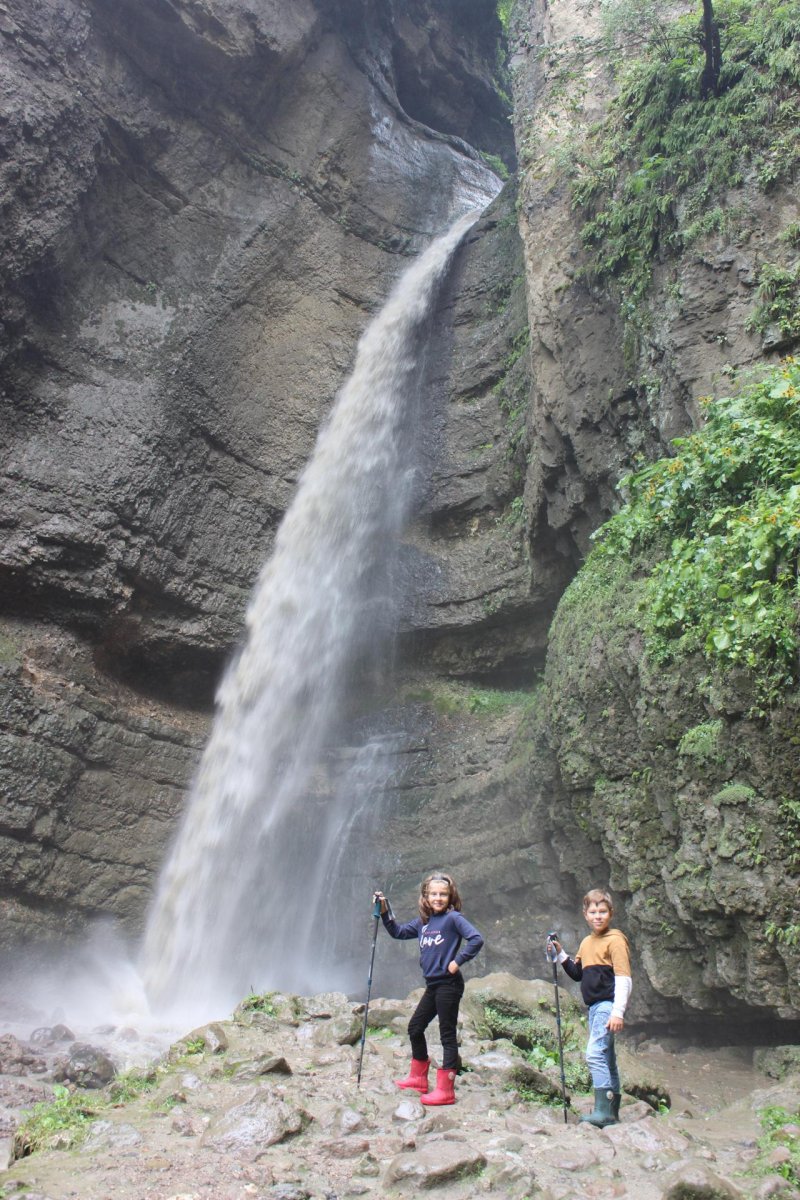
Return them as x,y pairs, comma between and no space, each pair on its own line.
202,207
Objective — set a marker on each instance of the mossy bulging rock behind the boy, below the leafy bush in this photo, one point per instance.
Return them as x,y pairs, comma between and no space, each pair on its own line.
665,775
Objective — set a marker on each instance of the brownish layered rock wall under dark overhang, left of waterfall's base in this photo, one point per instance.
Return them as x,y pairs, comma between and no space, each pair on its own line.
94,776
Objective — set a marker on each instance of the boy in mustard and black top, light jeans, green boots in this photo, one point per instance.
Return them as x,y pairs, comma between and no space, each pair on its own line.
604,968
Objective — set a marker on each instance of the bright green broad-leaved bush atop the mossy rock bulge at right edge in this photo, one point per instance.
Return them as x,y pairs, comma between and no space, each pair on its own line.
723,523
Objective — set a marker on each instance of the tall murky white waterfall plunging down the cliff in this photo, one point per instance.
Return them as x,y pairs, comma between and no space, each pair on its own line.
246,895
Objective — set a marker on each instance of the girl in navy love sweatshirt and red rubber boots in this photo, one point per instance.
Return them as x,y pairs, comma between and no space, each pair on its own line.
441,929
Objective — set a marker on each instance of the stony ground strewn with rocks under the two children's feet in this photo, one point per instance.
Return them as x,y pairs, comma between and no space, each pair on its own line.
268,1106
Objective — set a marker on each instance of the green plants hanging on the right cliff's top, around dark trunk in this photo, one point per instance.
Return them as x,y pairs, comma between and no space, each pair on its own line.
655,175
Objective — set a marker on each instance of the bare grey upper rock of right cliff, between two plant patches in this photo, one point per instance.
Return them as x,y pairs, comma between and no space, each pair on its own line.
601,398
